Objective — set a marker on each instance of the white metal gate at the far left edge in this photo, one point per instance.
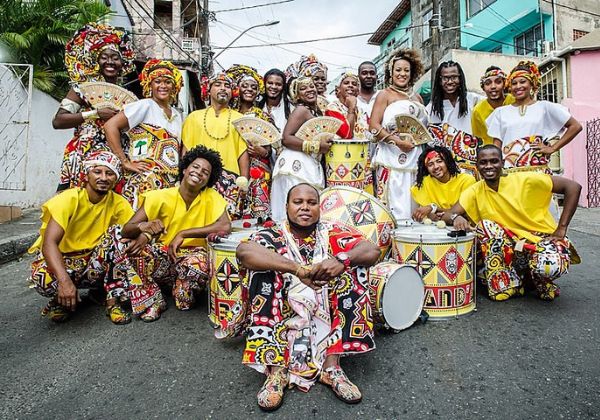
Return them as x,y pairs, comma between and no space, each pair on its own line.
15,109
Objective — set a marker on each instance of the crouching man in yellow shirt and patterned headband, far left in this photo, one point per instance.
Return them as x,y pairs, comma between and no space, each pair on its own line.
74,241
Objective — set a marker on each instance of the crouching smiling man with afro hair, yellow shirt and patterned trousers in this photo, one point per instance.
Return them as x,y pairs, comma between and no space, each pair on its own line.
168,236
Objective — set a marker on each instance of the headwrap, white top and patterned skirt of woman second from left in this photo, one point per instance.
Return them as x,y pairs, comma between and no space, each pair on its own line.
153,137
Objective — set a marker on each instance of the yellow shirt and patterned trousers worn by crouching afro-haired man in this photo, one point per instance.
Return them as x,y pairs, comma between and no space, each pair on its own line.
153,268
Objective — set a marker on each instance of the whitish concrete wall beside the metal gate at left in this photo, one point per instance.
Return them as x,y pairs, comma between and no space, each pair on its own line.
44,155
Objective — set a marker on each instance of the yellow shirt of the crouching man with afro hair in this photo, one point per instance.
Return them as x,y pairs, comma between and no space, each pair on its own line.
168,206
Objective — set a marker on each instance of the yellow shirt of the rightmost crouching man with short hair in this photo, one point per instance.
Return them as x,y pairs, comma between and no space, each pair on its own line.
521,204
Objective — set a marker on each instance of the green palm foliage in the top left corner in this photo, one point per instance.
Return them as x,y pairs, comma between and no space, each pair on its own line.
36,32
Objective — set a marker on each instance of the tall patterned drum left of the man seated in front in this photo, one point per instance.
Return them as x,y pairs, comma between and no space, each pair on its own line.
227,292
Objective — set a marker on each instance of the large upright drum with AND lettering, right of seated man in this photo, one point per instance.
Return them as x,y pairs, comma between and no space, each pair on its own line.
446,264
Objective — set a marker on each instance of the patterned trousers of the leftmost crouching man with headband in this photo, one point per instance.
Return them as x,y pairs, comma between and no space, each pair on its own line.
92,269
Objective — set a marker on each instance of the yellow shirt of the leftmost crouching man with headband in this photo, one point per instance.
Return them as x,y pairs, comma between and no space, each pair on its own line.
83,222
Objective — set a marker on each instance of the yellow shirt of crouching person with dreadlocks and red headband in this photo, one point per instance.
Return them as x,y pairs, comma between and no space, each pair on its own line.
444,195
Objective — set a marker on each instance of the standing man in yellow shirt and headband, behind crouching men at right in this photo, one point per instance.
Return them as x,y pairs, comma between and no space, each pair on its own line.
492,83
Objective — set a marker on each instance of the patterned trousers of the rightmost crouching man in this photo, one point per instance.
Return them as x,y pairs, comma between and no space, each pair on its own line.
505,270
